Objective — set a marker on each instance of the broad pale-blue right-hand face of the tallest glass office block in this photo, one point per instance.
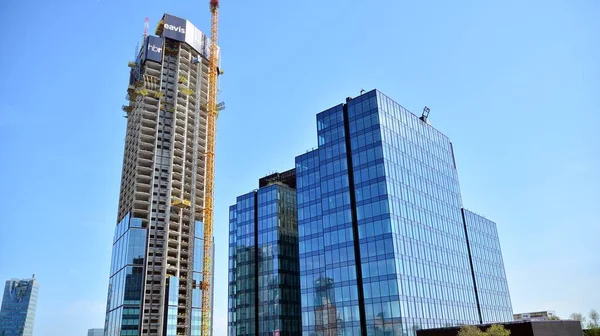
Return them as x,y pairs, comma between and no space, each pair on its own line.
432,261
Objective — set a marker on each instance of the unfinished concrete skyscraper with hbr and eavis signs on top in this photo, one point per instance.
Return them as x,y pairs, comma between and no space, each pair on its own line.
156,267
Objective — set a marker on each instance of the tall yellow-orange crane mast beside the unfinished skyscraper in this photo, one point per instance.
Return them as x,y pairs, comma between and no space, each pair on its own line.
213,72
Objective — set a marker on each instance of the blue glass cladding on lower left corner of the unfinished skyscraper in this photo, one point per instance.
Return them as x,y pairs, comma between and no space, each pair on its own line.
126,282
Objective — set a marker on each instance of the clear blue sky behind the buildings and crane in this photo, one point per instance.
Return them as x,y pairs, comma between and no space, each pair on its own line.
514,84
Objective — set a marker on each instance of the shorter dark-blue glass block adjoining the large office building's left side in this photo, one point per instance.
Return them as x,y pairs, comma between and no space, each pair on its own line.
264,280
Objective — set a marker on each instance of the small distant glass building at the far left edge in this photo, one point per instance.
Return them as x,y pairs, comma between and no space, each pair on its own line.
18,307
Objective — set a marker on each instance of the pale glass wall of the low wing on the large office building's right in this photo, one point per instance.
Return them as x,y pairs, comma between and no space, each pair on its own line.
488,269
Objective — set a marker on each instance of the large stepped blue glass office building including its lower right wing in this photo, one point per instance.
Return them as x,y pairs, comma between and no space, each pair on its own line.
383,242
